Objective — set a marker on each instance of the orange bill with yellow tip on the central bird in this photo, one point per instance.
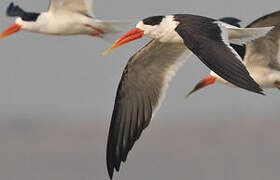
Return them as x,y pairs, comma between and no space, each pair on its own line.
132,35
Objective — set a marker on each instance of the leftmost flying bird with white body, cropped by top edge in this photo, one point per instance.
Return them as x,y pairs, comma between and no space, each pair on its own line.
64,17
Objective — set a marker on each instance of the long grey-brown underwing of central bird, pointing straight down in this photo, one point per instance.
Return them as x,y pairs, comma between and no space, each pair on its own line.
141,89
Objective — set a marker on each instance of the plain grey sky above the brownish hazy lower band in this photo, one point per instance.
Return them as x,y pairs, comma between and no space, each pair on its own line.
69,76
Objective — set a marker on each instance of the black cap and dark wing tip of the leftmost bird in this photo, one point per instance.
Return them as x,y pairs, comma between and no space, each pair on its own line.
16,11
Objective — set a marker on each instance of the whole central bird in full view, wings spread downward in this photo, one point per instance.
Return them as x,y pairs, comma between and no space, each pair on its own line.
147,73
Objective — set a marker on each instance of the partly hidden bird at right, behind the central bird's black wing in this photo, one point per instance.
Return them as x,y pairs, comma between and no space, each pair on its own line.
261,57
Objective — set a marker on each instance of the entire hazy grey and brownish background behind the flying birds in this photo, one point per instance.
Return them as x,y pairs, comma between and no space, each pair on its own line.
57,94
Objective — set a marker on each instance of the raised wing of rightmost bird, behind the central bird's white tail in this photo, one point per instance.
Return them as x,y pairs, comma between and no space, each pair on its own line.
265,51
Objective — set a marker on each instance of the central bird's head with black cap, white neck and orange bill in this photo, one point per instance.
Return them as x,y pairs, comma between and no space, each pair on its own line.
159,28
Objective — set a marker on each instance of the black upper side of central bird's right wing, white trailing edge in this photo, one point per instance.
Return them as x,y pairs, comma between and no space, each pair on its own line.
208,40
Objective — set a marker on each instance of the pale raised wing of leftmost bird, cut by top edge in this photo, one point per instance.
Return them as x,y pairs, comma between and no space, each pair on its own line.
81,6
